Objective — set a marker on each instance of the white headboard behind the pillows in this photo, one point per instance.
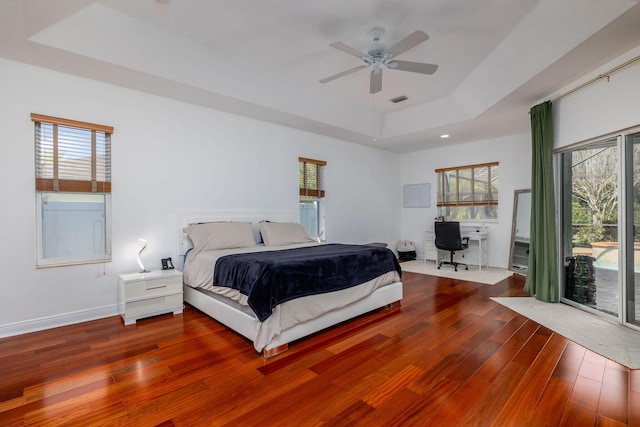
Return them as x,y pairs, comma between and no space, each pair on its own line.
184,218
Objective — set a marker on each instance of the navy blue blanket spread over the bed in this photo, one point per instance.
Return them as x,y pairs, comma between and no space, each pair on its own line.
272,277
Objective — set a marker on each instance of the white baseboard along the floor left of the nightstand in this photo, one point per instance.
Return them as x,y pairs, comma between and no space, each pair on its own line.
42,323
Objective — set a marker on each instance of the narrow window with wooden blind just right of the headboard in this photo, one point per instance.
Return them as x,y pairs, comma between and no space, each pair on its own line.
311,179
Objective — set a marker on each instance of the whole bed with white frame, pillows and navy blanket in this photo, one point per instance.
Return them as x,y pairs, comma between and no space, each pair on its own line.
228,237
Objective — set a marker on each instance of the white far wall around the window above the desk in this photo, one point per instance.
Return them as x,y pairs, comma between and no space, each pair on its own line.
514,155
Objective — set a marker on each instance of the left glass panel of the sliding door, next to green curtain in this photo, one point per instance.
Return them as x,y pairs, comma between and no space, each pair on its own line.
590,234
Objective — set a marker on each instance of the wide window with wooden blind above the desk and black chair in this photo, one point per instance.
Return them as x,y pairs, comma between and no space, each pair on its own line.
468,192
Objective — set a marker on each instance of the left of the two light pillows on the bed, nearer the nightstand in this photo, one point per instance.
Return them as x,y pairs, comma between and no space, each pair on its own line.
221,235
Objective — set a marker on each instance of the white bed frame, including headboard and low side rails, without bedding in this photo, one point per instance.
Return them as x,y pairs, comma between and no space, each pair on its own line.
243,323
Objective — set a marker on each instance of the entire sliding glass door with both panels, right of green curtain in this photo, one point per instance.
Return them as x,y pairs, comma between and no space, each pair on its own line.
600,200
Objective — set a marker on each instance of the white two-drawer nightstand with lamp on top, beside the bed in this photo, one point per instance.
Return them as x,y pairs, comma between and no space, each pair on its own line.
149,294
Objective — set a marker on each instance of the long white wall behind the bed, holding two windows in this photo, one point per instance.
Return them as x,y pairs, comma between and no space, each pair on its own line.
166,156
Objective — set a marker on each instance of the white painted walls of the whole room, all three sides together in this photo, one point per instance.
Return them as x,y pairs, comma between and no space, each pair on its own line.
169,156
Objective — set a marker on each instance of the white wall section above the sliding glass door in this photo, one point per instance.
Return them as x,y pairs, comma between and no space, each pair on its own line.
606,106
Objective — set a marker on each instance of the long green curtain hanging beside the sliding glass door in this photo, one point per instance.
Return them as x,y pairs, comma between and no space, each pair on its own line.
542,273
